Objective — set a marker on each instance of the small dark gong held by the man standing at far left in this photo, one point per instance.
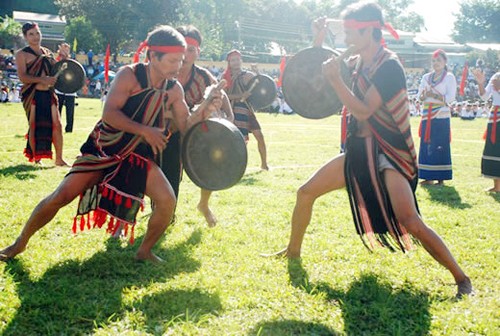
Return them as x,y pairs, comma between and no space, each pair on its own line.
70,76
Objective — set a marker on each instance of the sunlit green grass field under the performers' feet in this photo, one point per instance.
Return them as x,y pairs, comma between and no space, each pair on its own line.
215,283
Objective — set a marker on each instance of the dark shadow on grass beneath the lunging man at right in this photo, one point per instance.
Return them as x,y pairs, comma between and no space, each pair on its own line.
370,307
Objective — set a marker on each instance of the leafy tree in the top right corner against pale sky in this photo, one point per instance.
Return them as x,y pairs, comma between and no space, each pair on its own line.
478,21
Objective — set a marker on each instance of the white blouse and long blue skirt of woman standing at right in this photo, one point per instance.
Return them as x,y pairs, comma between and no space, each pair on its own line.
434,160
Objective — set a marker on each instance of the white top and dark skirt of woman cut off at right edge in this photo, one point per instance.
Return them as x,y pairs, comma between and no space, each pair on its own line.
490,162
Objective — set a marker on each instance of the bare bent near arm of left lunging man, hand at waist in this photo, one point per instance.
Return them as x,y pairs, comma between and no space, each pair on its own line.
121,89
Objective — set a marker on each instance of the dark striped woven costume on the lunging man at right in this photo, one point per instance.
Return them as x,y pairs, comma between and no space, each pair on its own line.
390,146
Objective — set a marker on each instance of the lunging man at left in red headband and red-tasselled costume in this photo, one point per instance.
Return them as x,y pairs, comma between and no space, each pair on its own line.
117,166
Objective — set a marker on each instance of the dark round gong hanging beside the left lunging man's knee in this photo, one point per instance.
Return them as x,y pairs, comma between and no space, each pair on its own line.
214,154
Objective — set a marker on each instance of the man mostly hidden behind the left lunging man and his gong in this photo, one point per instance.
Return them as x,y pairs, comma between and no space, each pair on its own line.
195,80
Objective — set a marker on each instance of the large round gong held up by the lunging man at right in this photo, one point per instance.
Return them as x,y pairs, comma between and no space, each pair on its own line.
304,87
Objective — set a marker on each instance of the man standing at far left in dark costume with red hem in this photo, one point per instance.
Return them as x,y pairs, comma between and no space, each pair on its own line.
34,64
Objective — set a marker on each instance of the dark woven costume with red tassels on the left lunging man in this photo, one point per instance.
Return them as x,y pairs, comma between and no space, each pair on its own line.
125,159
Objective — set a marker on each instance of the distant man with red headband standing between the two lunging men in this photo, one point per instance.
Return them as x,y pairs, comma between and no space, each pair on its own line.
244,115
